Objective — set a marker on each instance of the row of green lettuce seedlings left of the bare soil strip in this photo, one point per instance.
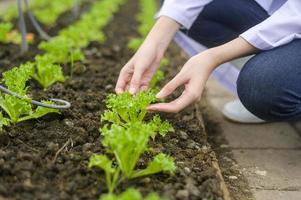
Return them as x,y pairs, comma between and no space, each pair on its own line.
46,69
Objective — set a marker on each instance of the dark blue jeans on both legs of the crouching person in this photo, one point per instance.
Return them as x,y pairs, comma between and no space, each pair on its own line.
269,85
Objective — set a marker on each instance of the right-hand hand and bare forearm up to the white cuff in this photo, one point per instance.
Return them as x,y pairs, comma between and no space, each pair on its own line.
196,71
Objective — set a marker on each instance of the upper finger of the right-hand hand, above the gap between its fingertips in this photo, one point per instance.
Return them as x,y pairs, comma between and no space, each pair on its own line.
171,86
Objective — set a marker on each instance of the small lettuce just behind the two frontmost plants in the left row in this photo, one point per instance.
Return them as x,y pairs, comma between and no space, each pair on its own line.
47,73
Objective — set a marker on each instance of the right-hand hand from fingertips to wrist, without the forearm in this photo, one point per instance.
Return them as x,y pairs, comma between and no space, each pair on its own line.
193,76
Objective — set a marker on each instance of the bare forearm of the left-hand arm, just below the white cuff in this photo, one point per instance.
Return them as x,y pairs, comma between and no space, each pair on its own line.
162,33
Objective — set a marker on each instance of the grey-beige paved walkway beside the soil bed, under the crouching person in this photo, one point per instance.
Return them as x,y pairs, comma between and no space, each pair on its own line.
268,155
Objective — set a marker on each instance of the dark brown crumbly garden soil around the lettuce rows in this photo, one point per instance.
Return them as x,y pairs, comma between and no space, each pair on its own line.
47,158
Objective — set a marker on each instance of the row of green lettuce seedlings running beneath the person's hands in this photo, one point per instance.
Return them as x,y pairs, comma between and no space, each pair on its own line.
126,132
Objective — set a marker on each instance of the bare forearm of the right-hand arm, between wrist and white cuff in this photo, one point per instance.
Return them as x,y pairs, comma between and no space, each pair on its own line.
234,49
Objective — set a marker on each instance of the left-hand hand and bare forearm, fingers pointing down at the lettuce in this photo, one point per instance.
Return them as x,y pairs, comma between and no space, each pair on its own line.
138,72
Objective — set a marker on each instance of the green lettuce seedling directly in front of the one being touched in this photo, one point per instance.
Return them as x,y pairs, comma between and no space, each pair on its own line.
128,145
